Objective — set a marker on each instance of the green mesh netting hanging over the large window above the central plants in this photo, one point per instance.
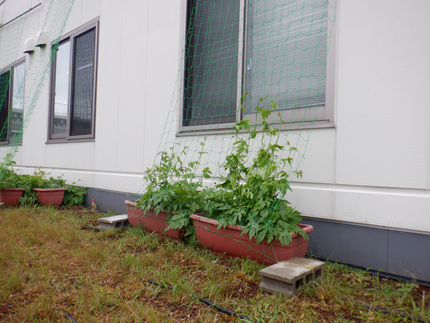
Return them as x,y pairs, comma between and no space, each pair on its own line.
240,56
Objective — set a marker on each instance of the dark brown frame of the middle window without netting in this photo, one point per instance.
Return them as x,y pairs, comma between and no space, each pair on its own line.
70,37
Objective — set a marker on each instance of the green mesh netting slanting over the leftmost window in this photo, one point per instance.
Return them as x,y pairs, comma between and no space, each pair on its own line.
22,82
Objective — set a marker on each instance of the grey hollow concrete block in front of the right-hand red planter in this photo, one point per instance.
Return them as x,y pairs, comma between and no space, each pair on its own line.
287,276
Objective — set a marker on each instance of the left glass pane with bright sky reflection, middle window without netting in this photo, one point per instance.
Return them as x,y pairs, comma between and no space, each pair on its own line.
61,95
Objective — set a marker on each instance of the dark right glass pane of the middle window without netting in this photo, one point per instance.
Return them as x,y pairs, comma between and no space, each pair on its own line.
82,106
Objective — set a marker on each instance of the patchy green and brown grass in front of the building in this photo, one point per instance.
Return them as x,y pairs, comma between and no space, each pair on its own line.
51,262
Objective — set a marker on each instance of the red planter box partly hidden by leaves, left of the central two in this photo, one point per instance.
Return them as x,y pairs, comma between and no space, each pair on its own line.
152,222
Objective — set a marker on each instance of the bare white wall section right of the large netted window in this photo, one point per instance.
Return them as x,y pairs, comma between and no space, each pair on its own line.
380,148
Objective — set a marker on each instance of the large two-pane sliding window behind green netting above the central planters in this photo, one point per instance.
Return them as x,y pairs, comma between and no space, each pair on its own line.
265,48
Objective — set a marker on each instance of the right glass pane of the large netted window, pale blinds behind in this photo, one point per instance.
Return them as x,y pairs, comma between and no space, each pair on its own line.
286,53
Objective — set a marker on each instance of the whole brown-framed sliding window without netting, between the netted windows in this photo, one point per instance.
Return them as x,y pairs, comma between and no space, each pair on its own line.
73,85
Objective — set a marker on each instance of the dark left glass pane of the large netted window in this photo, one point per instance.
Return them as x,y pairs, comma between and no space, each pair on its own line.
210,95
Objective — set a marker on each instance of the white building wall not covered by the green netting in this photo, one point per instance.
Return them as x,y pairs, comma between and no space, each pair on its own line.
373,168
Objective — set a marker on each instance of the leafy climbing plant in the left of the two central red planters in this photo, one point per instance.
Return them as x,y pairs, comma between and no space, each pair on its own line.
172,187
